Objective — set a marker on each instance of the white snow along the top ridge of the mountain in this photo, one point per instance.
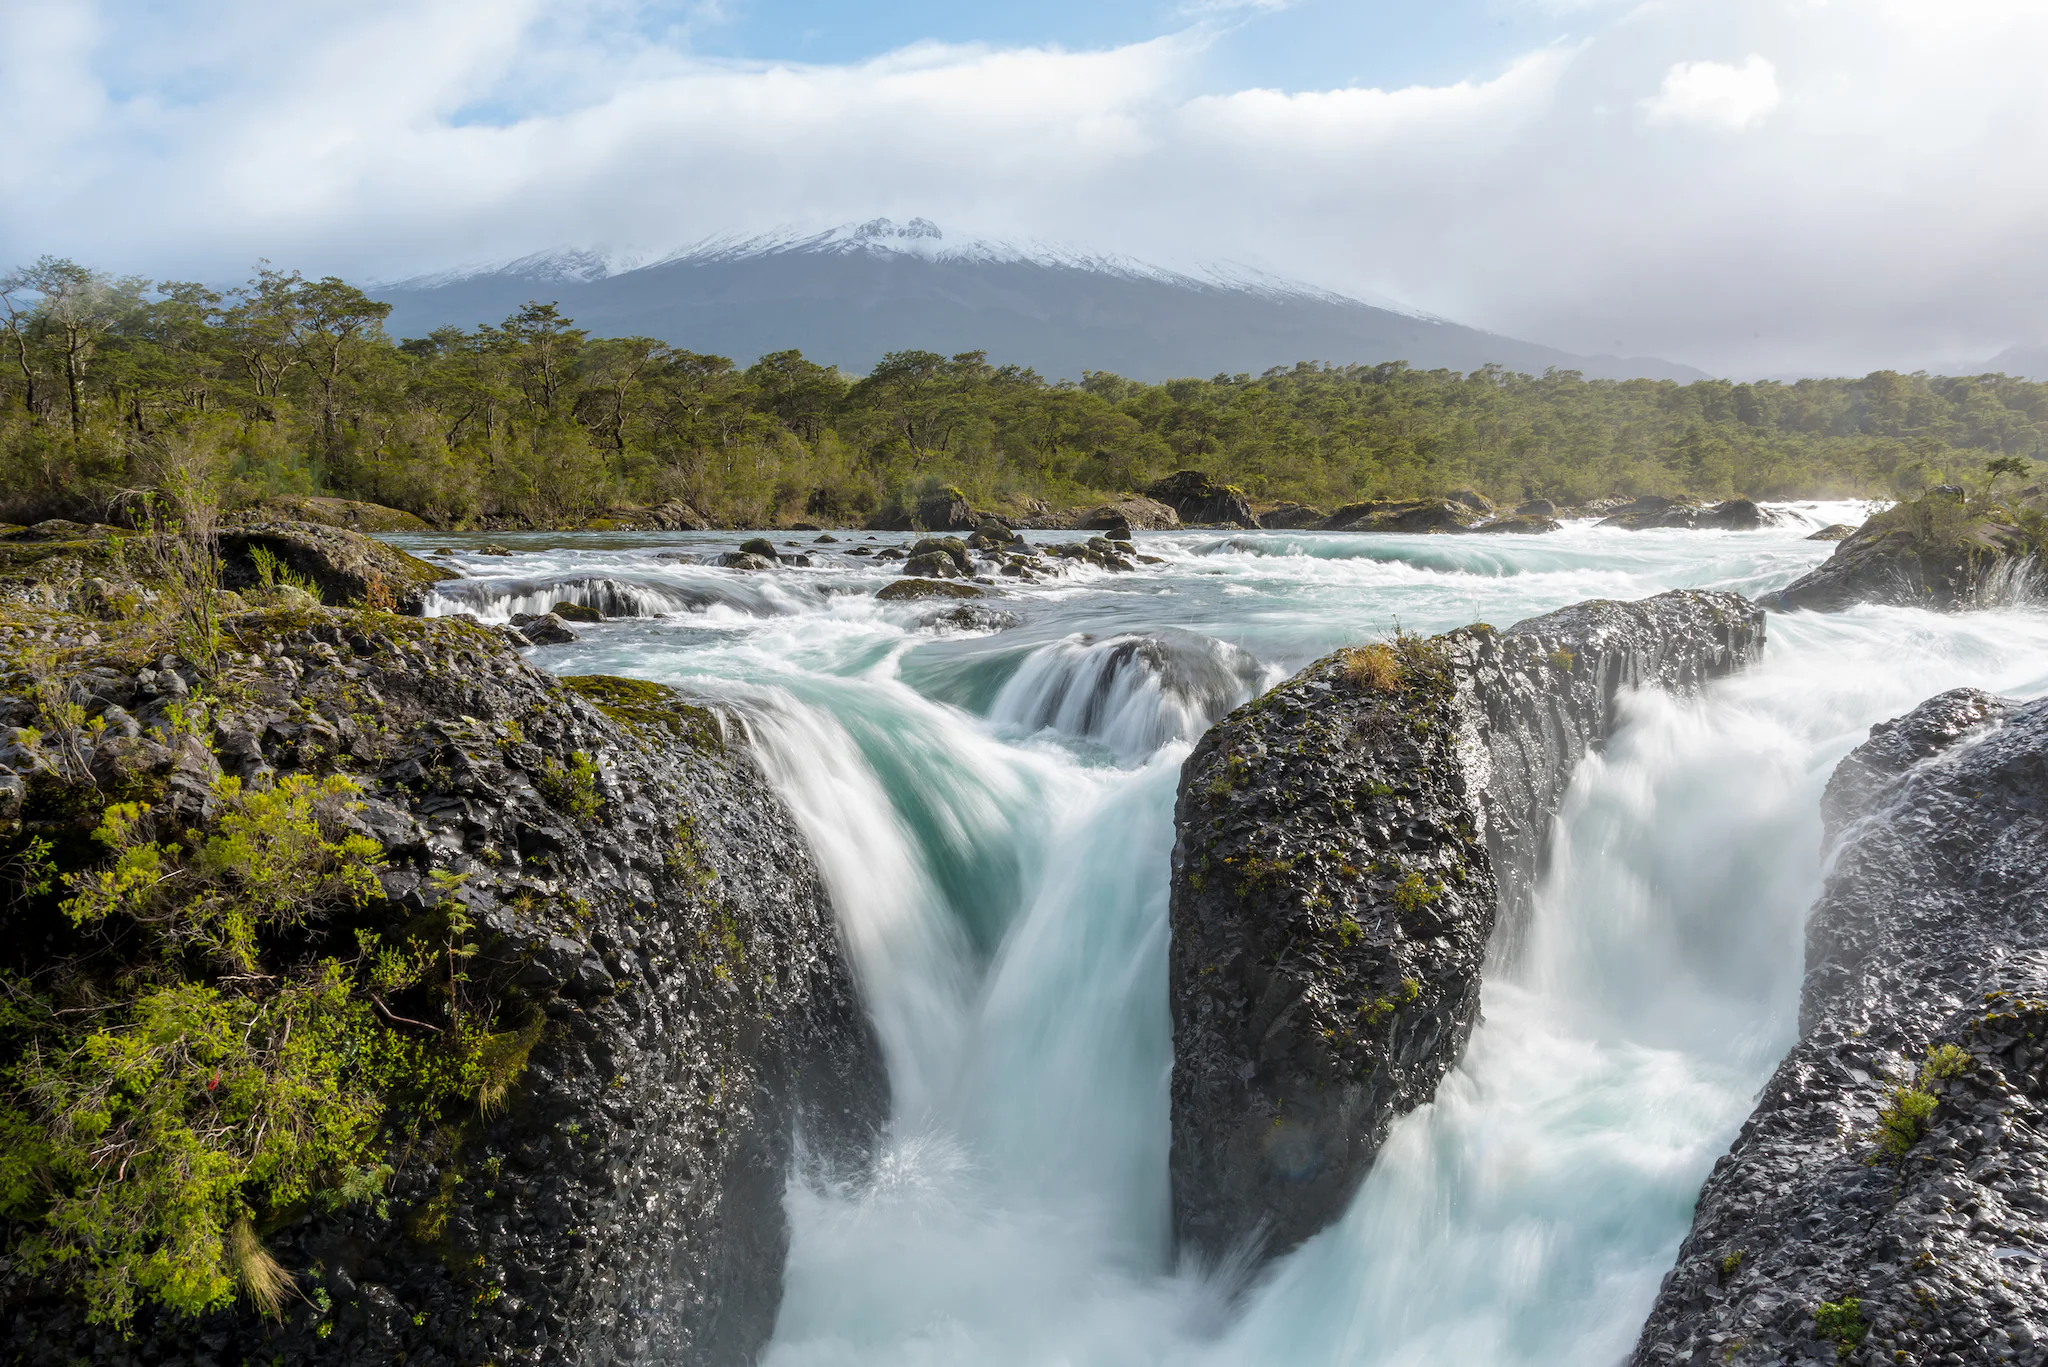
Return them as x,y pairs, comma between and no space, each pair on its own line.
888,239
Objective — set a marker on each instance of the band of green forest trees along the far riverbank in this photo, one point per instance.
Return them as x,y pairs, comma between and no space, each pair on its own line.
292,386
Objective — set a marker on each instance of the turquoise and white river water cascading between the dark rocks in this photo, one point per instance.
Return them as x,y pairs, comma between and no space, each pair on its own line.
994,819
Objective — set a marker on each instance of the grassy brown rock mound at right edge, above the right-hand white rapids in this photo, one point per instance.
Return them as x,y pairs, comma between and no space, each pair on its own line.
1940,552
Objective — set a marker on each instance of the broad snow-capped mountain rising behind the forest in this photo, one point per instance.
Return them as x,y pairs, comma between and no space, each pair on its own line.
851,294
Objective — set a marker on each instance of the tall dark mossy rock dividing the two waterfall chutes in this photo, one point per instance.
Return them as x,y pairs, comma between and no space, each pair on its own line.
1347,847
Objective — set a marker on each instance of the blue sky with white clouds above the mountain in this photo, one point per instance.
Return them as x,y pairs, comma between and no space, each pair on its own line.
1746,185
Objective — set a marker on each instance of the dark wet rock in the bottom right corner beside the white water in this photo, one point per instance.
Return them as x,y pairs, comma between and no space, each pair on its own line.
1900,1155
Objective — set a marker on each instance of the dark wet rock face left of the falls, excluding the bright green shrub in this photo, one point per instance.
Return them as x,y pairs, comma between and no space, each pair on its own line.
660,911
